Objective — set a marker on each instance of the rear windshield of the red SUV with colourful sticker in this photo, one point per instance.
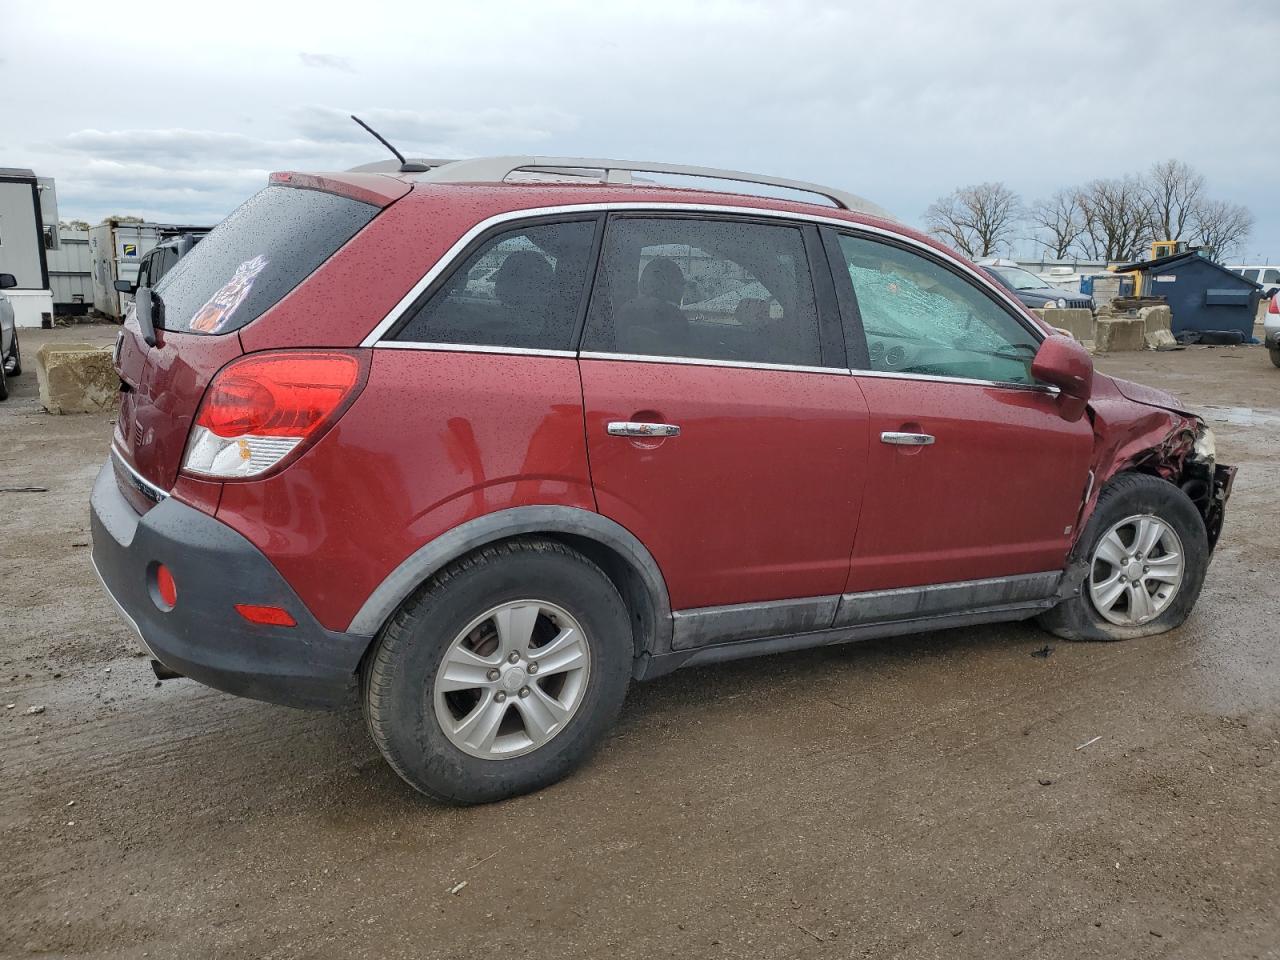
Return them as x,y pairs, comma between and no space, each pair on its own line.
254,258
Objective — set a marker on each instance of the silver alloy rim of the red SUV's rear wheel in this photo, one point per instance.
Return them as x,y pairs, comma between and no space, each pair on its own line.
513,680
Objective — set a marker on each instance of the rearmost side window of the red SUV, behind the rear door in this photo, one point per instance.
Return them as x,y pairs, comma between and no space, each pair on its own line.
522,289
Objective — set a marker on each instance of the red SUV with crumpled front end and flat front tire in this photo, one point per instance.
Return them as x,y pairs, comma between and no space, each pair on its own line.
483,444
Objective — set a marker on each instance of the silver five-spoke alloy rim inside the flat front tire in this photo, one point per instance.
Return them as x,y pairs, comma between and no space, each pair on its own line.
1137,570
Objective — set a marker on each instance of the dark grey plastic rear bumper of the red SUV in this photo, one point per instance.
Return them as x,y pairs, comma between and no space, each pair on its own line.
203,637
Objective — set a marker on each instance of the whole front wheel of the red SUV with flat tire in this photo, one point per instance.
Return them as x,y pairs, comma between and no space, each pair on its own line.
1148,554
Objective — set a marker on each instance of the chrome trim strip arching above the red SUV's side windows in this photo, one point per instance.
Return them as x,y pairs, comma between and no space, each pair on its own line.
447,260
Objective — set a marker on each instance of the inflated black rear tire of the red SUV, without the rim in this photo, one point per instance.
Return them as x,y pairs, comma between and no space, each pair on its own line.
399,678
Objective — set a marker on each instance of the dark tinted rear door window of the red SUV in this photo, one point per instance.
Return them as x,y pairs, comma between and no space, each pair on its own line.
705,290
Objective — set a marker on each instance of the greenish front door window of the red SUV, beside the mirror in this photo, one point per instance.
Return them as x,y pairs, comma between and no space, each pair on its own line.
921,318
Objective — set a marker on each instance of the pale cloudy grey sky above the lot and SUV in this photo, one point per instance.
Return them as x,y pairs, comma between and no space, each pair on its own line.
179,113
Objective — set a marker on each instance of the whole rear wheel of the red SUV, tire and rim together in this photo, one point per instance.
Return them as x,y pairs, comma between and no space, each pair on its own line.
501,675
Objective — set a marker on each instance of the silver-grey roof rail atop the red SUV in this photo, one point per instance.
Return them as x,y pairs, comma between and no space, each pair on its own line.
496,170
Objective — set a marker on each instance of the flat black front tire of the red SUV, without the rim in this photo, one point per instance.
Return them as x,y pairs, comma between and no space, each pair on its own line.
1130,495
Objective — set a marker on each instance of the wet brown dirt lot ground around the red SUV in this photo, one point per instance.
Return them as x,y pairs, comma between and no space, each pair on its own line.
918,798
